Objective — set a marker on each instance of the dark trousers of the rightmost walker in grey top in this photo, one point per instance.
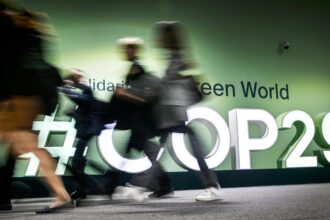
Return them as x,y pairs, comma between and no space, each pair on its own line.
209,179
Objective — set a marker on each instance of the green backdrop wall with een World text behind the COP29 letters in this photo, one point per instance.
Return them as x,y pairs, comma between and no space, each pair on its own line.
234,43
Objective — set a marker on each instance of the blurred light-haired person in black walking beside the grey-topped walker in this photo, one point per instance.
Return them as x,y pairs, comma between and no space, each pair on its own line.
132,108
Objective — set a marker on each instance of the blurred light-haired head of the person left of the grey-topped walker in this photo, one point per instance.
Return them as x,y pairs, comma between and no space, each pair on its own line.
130,47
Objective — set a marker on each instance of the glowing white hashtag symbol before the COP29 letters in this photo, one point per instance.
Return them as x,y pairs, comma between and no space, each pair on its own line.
45,127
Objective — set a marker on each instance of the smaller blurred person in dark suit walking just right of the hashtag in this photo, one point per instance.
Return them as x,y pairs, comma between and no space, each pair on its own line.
89,122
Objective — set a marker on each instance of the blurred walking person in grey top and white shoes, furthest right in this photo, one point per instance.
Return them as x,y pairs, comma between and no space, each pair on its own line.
178,93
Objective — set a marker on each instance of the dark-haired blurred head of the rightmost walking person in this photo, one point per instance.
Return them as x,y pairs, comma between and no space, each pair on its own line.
170,35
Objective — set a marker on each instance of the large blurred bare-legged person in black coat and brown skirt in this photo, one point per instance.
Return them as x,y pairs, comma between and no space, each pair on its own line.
26,93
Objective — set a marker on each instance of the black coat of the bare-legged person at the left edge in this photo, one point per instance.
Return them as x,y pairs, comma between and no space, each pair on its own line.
23,69
